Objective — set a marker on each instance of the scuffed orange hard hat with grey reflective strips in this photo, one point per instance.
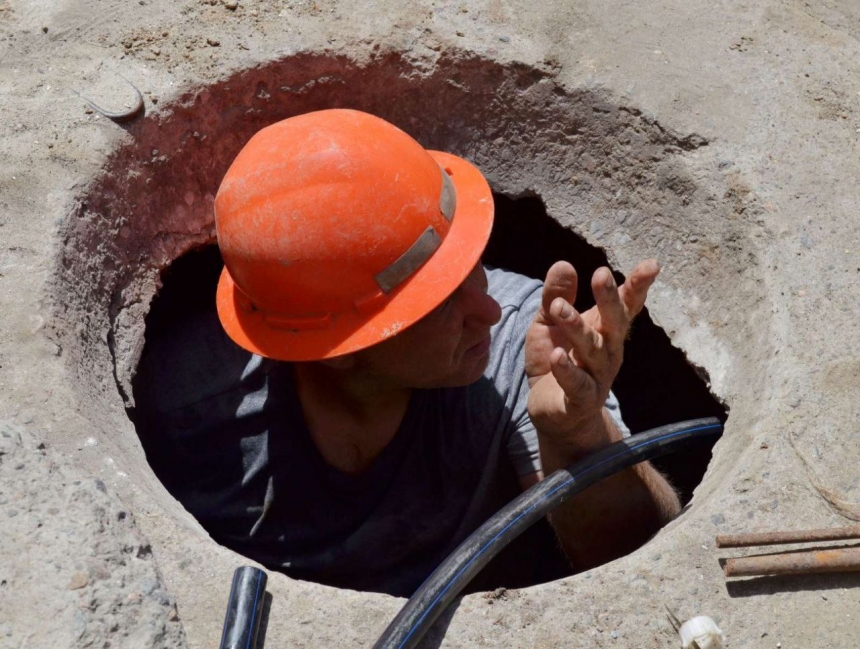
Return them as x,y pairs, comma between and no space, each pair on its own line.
338,230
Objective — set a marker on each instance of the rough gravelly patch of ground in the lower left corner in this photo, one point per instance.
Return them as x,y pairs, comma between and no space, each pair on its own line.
76,570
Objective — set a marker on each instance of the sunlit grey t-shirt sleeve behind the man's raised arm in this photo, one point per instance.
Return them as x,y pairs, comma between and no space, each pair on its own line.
522,443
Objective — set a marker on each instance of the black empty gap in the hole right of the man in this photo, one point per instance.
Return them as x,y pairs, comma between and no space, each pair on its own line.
656,385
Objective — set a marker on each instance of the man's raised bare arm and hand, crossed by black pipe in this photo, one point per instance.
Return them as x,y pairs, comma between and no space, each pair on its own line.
571,361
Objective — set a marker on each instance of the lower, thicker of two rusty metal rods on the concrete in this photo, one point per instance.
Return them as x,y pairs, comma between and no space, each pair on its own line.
795,563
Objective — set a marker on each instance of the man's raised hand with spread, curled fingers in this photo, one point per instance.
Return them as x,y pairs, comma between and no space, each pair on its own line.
572,358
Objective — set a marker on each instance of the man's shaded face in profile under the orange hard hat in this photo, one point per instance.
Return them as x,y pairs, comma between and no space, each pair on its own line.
448,347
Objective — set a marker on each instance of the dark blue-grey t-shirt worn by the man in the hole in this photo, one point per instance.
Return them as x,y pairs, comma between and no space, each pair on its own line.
224,431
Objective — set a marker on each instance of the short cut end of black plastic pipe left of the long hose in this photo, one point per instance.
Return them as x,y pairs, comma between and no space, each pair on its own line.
244,609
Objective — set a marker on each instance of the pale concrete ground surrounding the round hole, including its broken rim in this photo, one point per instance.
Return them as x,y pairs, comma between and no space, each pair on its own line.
717,135
